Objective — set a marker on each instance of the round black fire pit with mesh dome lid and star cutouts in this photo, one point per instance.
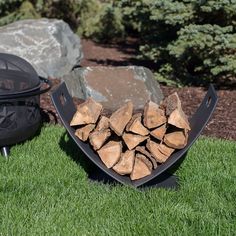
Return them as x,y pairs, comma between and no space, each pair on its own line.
20,87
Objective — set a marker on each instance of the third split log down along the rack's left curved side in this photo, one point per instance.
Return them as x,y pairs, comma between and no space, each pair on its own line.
98,138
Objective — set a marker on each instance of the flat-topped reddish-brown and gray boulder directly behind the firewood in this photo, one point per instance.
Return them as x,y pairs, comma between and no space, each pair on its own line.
113,86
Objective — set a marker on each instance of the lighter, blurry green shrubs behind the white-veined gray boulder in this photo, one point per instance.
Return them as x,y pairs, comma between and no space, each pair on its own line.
96,19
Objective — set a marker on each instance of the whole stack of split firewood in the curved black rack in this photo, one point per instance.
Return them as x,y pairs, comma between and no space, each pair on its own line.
130,144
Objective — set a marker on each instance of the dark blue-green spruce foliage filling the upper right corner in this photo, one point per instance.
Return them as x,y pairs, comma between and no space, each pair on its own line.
196,39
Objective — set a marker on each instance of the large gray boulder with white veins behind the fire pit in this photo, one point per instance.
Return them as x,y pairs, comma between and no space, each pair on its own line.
48,44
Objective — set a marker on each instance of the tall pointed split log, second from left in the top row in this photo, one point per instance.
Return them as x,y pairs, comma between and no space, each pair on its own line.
120,118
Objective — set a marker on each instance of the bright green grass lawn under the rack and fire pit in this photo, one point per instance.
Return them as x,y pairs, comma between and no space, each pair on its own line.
44,190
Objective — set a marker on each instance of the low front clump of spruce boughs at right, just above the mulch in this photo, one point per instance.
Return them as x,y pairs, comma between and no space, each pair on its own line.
204,50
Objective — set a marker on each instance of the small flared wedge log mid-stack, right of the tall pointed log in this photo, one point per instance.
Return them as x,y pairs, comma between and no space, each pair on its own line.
135,125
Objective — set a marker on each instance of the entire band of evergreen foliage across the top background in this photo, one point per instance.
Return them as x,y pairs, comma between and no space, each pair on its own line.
190,41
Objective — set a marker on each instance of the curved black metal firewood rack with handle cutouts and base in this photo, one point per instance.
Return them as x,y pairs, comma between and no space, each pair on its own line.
160,177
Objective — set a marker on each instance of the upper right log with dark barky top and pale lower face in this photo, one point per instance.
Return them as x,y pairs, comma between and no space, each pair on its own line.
173,108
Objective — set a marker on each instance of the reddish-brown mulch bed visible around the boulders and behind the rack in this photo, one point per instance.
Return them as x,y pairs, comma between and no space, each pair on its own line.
222,124
